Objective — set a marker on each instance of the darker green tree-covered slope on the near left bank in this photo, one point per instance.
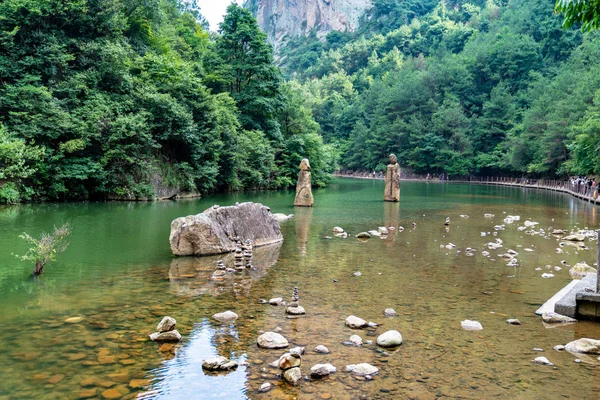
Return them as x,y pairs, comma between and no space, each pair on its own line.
133,99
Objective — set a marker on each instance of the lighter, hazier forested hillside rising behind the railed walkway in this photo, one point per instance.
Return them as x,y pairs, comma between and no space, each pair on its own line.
461,87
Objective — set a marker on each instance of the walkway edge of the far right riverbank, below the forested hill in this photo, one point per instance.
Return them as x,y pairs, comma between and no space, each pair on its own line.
579,191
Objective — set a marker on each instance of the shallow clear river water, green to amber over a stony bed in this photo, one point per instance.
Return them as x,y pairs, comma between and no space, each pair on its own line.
118,274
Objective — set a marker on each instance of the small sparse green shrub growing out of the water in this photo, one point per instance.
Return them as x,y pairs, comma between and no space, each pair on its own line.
46,248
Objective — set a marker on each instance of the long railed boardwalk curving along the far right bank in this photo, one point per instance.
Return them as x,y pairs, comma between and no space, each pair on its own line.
582,190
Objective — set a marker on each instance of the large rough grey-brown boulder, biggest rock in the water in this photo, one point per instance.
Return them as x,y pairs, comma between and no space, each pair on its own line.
214,231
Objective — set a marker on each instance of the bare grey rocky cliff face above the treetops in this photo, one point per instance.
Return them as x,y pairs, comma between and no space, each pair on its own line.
279,18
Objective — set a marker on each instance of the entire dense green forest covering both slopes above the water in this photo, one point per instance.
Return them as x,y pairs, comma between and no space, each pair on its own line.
134,99
